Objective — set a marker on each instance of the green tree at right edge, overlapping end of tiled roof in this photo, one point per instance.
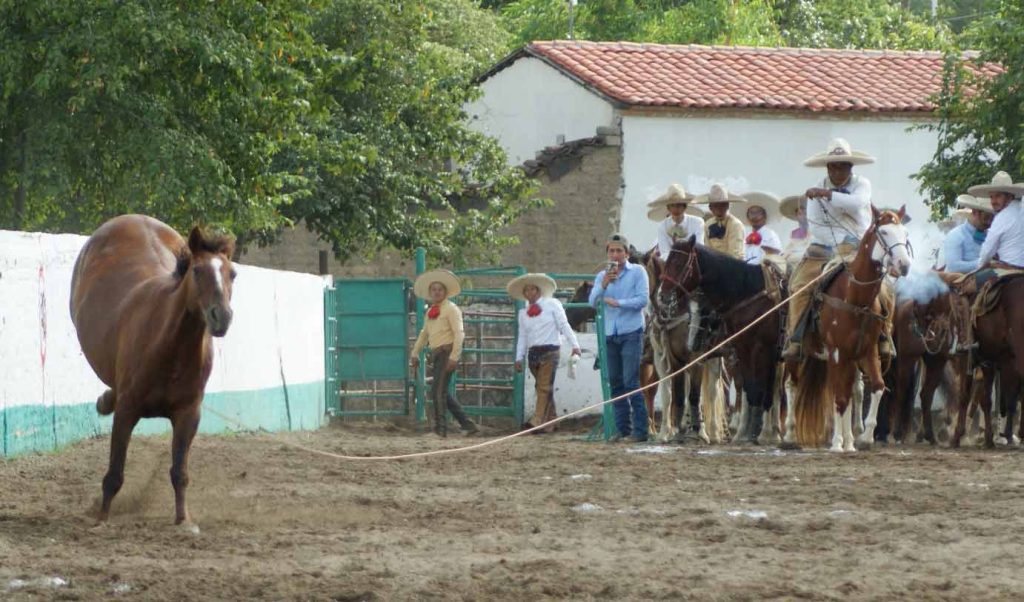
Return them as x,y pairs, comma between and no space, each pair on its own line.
979,127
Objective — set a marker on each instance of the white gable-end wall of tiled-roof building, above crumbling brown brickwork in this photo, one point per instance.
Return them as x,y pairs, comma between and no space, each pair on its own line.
529,105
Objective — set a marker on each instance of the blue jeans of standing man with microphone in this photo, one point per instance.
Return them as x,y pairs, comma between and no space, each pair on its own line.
624,375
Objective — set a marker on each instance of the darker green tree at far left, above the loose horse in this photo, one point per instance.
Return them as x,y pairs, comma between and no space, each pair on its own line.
167,109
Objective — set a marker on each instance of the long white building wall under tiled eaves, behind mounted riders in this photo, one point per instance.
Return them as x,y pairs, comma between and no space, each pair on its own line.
767,154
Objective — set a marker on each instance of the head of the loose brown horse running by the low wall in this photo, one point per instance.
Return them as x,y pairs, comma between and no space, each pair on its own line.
206,264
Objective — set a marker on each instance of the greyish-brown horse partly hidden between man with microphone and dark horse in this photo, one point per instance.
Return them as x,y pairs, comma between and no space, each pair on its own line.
667,332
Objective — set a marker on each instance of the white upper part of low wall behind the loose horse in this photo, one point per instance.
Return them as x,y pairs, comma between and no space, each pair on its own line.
277,336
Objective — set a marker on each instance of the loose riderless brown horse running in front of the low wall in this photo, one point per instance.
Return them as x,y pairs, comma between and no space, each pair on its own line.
145,305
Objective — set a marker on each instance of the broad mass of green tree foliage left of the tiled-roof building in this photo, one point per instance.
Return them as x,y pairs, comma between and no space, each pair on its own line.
345,115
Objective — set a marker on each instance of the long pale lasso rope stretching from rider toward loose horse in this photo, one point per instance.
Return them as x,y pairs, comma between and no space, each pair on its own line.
490,443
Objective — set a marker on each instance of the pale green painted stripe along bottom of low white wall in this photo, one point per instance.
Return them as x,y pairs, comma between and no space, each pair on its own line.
44,428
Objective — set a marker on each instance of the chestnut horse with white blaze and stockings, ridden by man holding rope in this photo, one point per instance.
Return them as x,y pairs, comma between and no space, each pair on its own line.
849,326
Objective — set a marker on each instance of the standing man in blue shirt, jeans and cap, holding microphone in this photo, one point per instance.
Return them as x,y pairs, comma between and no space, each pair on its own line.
623,290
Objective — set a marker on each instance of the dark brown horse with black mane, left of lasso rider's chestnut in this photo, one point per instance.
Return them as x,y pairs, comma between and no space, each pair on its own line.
738,292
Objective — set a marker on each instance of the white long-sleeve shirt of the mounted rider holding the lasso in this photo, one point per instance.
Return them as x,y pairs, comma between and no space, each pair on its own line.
845,219
